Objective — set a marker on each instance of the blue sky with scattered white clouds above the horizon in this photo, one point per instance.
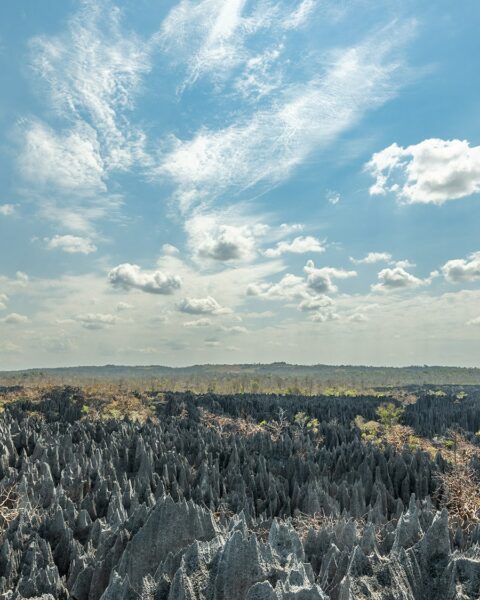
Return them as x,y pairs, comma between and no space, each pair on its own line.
239,181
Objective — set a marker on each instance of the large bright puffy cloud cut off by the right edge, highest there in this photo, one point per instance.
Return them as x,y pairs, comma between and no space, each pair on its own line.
430,172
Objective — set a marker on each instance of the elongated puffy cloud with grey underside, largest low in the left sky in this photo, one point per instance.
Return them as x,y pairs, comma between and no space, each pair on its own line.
128,276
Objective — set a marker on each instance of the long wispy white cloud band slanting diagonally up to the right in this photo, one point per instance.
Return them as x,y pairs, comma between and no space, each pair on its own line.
305,117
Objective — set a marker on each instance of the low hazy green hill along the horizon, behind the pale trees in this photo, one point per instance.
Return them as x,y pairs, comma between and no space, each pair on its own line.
325,375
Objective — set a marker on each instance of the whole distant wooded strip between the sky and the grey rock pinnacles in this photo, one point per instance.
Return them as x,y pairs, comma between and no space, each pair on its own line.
279,378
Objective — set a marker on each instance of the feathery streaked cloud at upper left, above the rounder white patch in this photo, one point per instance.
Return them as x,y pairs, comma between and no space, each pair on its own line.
93,72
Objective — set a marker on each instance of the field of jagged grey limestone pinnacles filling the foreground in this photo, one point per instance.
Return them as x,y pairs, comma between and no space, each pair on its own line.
178,509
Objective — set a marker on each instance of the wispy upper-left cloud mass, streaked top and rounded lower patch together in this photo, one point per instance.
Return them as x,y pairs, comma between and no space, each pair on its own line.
90,75
